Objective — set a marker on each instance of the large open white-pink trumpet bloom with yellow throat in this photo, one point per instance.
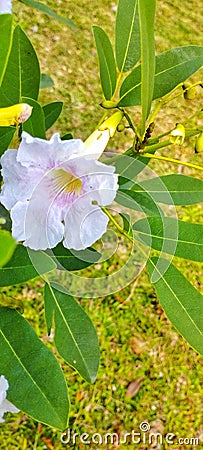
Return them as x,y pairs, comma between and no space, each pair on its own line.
54,190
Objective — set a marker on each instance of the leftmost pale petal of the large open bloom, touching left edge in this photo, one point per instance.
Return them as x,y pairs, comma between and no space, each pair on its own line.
19,182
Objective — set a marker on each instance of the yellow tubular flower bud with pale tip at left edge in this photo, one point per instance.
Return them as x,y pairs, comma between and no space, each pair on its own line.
13,115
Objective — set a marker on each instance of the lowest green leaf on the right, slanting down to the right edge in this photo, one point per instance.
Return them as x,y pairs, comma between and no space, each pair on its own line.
182,303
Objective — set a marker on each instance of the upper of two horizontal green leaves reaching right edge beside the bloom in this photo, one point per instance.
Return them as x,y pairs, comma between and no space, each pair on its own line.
175,189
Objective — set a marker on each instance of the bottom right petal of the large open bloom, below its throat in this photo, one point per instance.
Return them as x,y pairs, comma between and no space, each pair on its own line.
85,223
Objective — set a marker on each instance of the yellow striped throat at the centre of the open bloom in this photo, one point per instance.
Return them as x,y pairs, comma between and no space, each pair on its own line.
66,182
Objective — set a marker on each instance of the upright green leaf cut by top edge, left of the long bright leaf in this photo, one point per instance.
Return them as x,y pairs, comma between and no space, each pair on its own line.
127,35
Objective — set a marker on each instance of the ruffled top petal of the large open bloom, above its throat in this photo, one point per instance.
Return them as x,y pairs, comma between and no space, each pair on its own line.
36,152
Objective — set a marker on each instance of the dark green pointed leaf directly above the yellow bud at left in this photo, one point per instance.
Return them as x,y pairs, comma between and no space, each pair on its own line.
22,75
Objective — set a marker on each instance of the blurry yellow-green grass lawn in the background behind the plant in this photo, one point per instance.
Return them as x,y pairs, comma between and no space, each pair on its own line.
137,341
